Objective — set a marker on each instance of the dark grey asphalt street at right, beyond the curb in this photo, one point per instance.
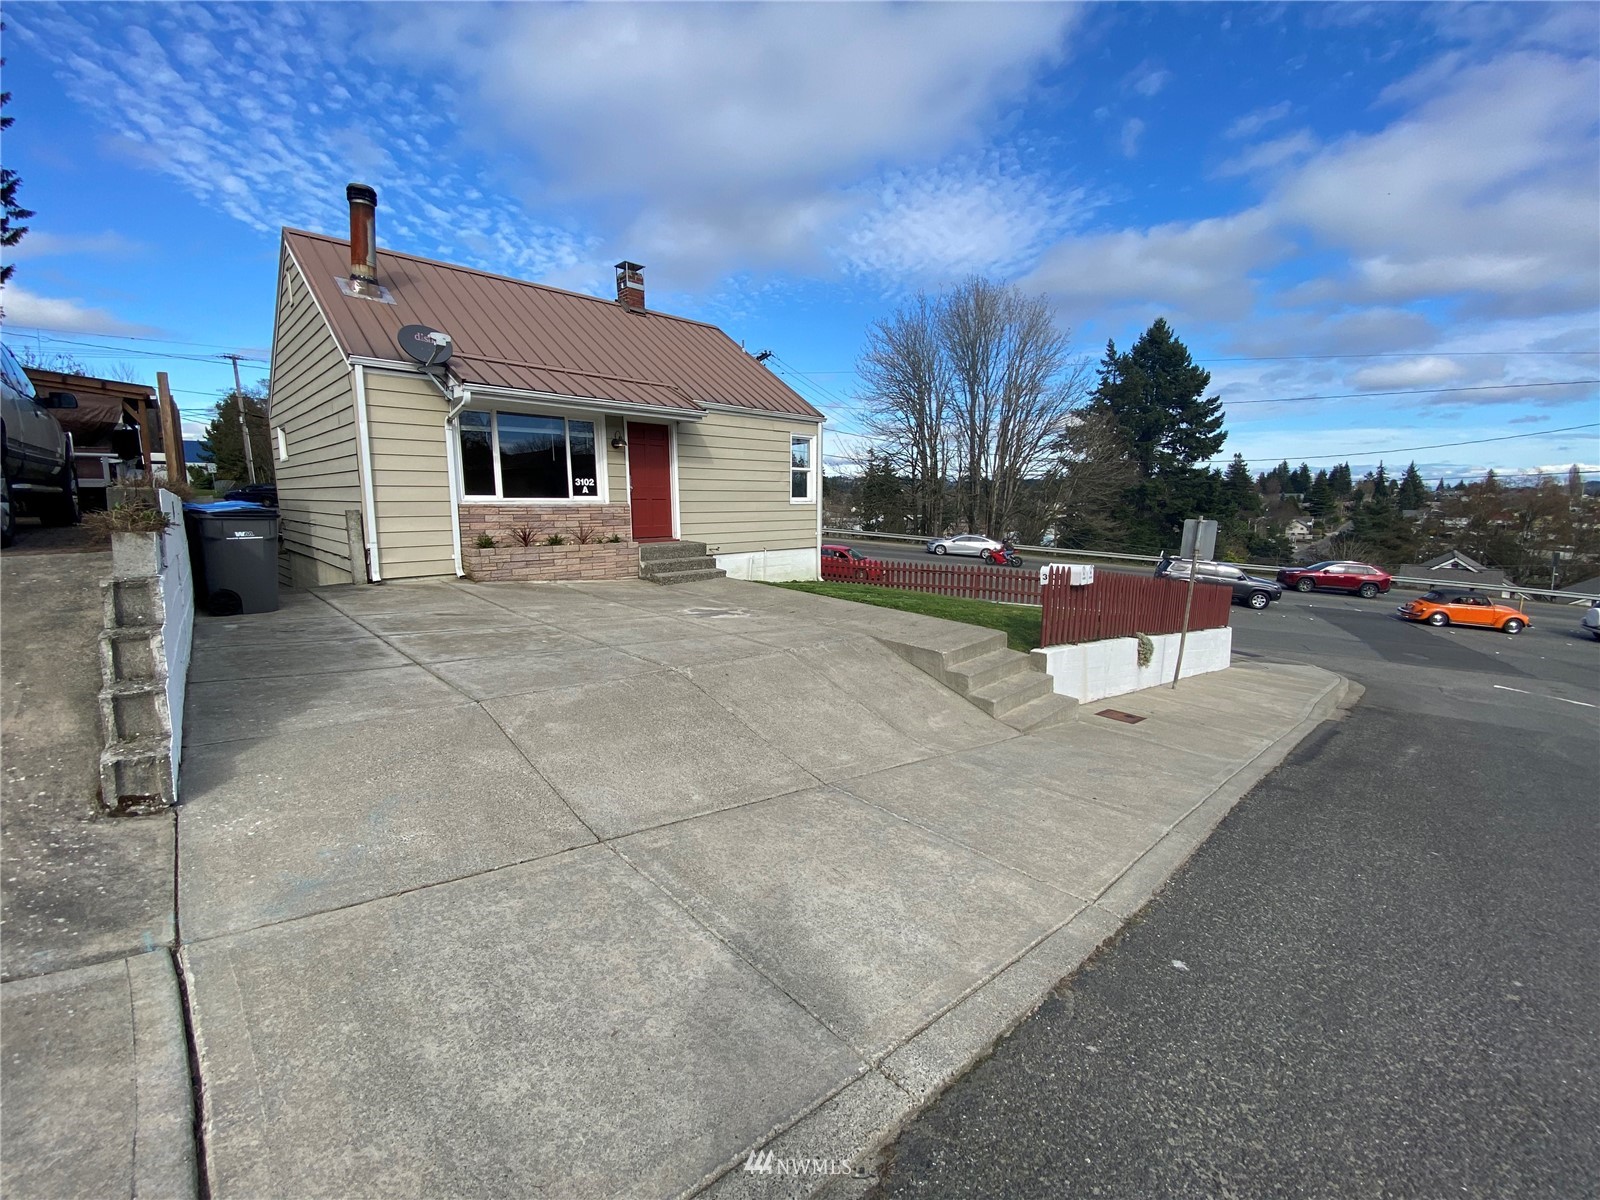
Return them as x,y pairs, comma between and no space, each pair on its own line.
1378,978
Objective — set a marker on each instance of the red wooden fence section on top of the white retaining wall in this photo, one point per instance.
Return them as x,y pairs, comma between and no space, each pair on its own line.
1122,606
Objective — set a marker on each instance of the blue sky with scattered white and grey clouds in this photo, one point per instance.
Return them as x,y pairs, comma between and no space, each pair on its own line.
1388,206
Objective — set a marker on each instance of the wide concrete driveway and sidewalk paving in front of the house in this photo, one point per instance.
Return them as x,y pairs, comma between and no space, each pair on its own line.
593,890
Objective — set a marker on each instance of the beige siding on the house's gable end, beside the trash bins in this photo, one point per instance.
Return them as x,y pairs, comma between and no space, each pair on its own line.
313,404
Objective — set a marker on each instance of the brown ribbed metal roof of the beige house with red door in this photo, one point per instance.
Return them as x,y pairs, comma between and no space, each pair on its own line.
532,338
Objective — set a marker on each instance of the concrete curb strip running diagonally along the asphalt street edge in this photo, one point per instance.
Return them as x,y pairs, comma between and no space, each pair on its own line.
858,1121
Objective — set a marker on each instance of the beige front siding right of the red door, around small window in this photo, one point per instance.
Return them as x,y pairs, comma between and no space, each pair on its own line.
734,484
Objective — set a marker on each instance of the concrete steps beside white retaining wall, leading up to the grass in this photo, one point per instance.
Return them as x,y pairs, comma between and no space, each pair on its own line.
1009,686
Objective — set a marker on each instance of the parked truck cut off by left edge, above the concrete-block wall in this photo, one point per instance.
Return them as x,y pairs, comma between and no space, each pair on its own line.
38,471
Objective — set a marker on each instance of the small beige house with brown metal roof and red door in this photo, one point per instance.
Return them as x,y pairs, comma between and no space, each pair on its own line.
433,420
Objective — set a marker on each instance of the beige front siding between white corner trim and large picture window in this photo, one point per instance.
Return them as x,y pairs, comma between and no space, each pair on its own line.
406,420
